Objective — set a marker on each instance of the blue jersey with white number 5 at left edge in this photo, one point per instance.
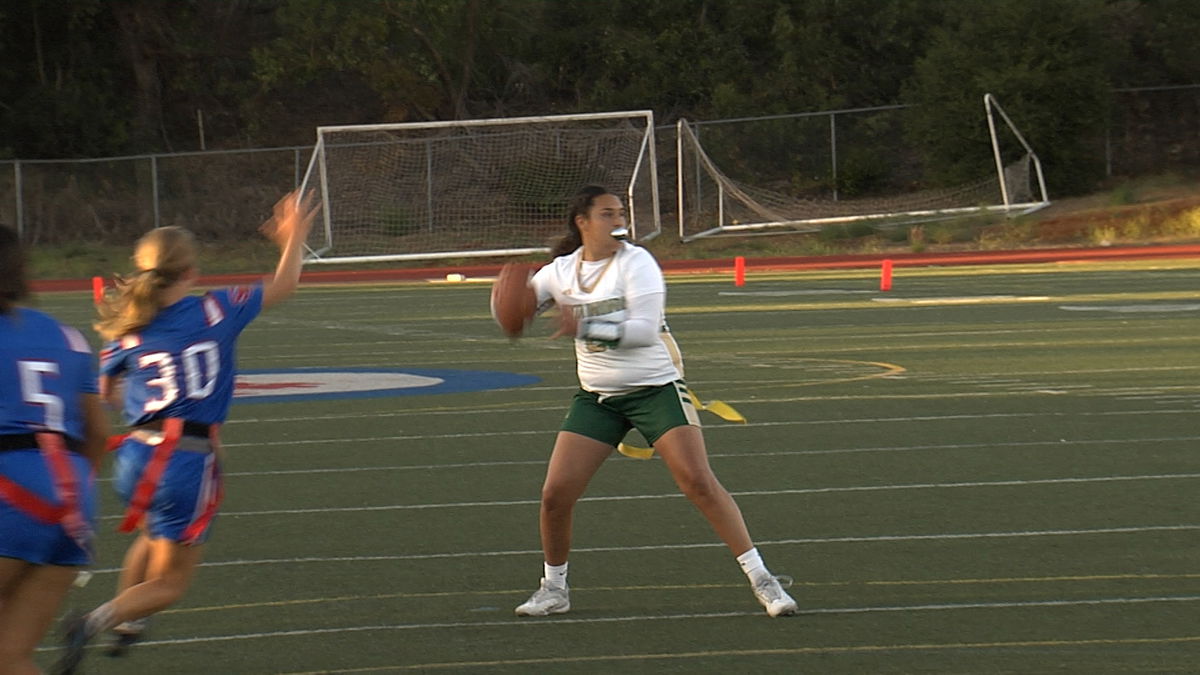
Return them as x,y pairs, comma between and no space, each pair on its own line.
45,367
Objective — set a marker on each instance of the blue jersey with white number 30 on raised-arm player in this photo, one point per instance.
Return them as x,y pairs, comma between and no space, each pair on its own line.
183,365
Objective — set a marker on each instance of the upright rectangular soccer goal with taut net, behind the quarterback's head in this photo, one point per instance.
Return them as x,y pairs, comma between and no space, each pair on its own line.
473,188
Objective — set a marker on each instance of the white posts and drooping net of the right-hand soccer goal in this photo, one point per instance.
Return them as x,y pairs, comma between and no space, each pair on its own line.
712,204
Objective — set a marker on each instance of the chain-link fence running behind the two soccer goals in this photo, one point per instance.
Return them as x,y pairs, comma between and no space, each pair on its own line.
223,195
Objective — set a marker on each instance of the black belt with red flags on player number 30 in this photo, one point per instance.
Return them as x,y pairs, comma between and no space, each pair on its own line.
169,435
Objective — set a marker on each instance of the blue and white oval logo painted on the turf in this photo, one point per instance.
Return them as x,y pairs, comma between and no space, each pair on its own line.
309,385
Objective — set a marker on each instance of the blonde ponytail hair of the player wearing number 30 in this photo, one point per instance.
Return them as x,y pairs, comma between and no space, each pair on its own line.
163,256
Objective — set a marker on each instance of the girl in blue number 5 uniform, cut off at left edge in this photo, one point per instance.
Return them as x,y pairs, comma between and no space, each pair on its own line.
52,438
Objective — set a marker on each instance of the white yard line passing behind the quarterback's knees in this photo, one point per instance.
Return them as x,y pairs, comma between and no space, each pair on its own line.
736,494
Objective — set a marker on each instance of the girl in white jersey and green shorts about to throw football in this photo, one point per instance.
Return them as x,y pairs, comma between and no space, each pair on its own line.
613,297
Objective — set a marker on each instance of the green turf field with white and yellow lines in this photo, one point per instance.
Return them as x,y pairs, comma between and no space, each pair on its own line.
986,470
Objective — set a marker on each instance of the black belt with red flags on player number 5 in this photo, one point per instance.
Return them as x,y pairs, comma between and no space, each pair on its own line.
55,449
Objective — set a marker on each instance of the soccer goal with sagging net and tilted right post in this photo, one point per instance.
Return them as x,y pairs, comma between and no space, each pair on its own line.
820,170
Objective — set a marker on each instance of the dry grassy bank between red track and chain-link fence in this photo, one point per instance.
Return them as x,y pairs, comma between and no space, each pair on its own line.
1161,211
